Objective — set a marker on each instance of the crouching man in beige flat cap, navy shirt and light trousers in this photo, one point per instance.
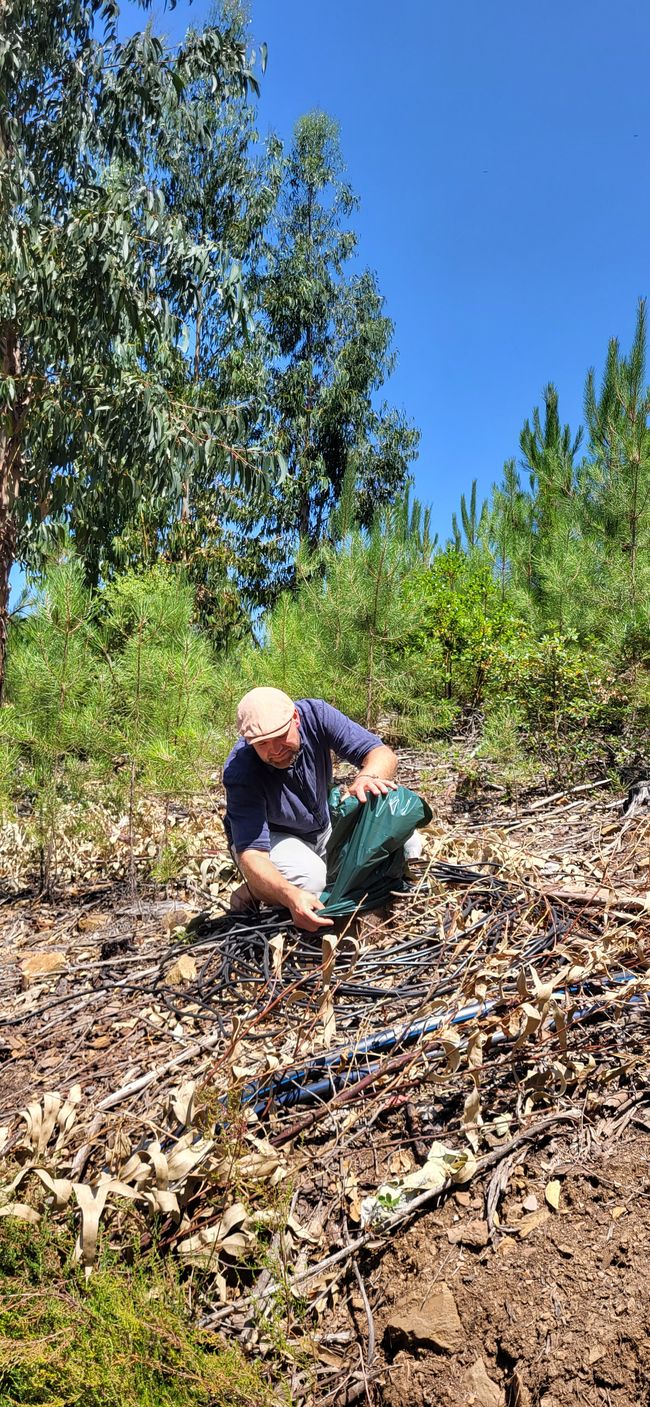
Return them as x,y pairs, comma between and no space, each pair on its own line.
278,780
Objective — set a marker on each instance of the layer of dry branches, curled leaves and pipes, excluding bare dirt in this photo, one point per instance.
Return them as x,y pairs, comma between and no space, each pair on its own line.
489,1007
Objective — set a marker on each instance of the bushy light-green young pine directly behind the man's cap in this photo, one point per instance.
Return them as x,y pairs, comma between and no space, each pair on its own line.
343,634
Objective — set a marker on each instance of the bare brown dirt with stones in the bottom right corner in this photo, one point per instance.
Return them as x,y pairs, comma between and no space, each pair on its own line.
555,1312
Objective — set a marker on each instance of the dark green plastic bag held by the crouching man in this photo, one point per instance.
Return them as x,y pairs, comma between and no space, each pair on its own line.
367,848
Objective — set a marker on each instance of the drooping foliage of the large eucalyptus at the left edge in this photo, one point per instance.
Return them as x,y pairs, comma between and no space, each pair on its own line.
96,274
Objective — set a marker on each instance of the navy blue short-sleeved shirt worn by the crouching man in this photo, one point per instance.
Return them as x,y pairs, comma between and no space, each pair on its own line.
262,798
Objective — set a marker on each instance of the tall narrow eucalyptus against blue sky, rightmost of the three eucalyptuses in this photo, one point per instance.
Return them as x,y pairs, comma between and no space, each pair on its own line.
331,354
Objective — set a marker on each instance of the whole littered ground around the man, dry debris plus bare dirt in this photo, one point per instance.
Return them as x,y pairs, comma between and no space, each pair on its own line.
144,1080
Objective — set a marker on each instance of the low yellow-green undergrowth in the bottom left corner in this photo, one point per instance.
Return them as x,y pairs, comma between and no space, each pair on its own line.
122,1340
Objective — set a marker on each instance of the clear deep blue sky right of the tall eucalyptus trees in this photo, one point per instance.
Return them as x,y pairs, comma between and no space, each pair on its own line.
502,158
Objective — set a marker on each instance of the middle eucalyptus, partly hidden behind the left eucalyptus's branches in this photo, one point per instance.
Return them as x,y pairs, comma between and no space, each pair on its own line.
226,191
